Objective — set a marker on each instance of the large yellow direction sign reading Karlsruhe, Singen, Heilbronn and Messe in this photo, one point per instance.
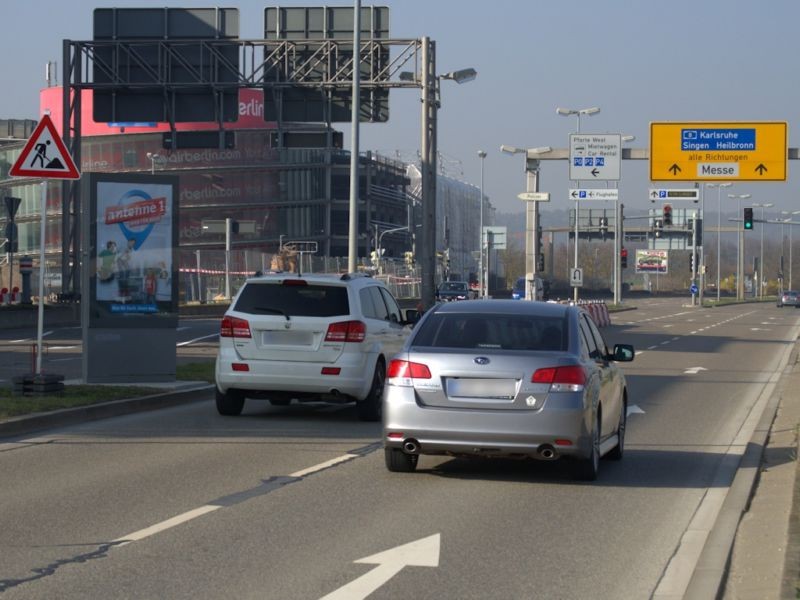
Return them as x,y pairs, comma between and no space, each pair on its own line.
718,151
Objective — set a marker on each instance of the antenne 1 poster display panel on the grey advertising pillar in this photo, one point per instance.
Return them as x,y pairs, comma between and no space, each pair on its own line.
133,230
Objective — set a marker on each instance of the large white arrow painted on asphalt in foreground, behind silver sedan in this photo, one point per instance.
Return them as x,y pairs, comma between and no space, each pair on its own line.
421,553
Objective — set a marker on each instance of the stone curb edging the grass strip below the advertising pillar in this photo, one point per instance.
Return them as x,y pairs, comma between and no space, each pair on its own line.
27,424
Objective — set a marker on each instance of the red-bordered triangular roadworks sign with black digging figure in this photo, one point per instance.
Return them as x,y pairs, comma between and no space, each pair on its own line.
45,155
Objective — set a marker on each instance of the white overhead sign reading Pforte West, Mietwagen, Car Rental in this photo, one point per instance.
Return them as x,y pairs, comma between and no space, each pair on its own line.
594,156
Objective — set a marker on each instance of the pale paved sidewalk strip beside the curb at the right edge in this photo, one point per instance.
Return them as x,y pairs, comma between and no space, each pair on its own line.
765,562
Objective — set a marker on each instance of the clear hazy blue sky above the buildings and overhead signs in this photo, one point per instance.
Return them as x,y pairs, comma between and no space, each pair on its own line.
638,60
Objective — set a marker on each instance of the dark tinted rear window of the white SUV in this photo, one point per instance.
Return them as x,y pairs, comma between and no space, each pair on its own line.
312,300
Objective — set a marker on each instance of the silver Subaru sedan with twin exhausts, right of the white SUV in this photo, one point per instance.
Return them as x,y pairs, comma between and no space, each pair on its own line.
499,378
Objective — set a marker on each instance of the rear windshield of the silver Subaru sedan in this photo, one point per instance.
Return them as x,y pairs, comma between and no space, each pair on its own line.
492,331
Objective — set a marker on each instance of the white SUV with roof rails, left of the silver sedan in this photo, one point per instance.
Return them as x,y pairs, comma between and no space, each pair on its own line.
310,337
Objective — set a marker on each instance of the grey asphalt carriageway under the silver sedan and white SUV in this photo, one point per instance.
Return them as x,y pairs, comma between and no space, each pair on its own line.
283,501
